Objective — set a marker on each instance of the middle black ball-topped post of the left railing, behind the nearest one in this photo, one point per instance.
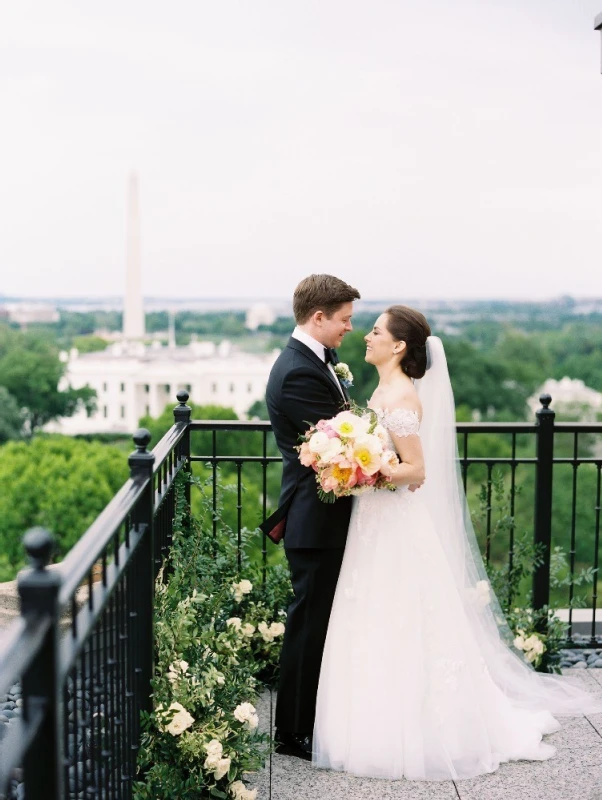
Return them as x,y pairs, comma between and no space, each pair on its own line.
141,464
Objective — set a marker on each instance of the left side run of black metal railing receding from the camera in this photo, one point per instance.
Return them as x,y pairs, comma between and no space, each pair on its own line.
83,648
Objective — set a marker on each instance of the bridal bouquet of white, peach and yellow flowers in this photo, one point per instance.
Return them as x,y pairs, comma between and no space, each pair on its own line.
349,453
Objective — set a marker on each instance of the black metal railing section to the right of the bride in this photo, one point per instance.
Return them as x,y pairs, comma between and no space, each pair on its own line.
551,515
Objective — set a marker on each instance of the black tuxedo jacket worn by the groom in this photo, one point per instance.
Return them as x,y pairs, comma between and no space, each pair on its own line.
302,390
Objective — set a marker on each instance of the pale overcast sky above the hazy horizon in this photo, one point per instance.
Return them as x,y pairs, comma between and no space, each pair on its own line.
442,149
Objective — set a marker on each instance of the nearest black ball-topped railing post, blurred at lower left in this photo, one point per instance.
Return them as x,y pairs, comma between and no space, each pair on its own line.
38,592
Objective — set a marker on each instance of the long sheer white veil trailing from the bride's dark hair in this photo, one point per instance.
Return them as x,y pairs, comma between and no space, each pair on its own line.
444,494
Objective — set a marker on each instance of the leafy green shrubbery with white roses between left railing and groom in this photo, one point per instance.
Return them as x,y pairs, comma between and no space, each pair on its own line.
217,633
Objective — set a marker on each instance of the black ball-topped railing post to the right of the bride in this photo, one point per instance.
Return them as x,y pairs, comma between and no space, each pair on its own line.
543,500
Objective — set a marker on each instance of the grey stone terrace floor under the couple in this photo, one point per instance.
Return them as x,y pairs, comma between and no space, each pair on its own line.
575,773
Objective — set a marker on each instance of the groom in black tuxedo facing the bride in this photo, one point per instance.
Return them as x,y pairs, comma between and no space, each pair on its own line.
303,388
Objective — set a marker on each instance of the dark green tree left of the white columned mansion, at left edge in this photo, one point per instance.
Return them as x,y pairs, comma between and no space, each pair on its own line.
31,371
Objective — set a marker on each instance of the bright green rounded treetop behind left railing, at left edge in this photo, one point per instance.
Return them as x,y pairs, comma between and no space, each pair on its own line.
56,482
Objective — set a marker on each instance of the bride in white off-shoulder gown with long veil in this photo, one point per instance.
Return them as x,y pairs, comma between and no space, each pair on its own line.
418,678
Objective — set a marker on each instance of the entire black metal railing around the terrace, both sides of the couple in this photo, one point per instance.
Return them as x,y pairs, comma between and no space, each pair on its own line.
83,647
